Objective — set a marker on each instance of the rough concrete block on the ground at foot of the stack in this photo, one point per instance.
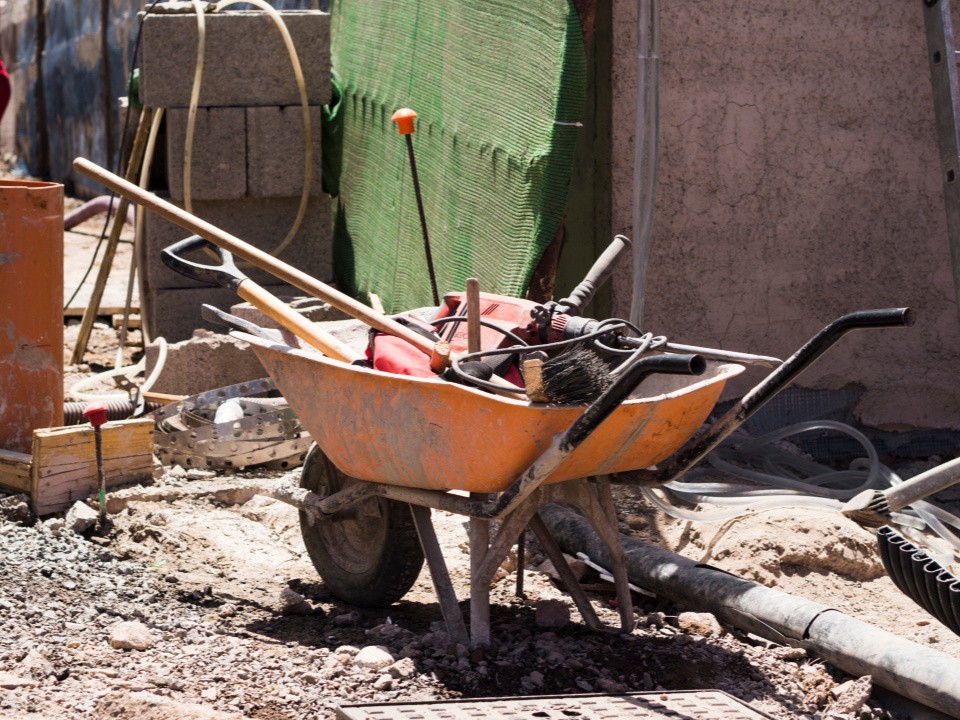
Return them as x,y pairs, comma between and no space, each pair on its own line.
203,361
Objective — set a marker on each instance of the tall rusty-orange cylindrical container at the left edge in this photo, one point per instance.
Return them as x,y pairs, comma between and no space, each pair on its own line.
31,310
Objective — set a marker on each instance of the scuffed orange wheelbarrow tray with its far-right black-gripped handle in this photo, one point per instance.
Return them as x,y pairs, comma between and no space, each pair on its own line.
430,434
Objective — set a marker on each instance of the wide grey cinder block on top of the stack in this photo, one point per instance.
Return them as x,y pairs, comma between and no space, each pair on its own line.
246,61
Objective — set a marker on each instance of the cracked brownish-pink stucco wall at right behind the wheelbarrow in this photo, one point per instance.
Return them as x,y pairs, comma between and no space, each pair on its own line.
799,180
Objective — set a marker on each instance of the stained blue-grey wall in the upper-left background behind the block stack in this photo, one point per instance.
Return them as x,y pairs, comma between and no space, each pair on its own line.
76,91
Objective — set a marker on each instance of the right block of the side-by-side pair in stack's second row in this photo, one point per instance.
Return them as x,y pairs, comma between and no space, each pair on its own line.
275,151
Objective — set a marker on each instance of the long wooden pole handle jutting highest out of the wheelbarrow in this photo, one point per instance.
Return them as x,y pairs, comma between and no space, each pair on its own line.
248,252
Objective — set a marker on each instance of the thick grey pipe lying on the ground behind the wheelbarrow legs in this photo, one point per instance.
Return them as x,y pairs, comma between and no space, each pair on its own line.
919,673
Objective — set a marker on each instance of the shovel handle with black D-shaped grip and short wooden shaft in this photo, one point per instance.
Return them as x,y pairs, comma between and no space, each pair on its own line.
229,276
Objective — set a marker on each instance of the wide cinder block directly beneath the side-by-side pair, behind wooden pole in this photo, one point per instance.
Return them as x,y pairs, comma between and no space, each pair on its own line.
263,223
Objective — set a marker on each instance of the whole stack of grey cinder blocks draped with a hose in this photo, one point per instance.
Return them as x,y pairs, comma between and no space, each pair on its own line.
247,169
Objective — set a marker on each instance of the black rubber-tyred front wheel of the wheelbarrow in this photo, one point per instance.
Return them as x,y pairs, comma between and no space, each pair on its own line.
367,555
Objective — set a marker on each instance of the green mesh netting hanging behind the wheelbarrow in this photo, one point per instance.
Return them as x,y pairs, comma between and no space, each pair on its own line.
499,87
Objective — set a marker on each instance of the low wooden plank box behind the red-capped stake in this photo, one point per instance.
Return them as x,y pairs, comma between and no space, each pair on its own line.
63,466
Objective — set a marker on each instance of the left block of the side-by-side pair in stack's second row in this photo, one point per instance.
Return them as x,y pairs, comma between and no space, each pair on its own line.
219,153
